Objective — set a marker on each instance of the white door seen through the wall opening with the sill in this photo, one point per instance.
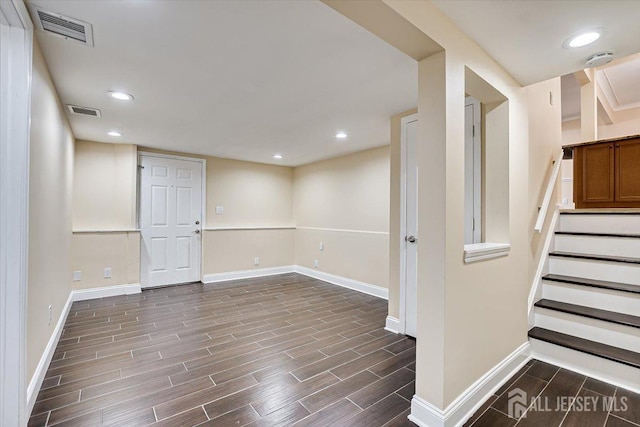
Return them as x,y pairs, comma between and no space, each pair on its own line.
472,172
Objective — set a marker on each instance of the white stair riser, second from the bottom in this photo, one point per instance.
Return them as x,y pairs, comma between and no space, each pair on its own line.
590,329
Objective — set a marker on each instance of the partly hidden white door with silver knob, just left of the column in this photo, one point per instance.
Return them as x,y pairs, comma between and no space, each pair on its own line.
409,228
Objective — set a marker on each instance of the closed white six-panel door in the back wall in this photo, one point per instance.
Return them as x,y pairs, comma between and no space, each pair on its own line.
170,220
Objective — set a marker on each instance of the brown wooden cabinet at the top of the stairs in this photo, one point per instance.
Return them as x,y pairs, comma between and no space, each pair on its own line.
607,174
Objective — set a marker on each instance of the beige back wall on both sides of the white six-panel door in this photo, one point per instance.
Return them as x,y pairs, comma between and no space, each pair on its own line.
252,194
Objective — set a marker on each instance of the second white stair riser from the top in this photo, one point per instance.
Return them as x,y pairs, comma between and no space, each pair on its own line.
614,246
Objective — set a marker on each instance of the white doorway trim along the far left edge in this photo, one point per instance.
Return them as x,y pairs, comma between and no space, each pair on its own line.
15,116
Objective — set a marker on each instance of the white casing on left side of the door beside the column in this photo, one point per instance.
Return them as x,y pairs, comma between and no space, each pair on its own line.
402,313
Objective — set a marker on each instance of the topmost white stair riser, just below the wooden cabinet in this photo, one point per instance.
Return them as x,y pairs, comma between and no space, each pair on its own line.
629,224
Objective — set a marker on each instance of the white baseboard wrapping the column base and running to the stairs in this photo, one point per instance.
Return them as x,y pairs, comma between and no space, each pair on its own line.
460,410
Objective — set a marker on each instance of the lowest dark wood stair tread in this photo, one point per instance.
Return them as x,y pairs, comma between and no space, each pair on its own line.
594,348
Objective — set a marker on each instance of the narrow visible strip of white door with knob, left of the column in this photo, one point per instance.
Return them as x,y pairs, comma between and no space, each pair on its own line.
411,220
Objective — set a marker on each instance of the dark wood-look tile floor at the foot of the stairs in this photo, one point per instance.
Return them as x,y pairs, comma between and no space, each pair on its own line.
563,398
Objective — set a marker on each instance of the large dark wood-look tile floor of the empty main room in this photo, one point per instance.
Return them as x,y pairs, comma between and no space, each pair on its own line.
284,350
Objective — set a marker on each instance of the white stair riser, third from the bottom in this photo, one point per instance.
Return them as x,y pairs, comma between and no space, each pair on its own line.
604,299
